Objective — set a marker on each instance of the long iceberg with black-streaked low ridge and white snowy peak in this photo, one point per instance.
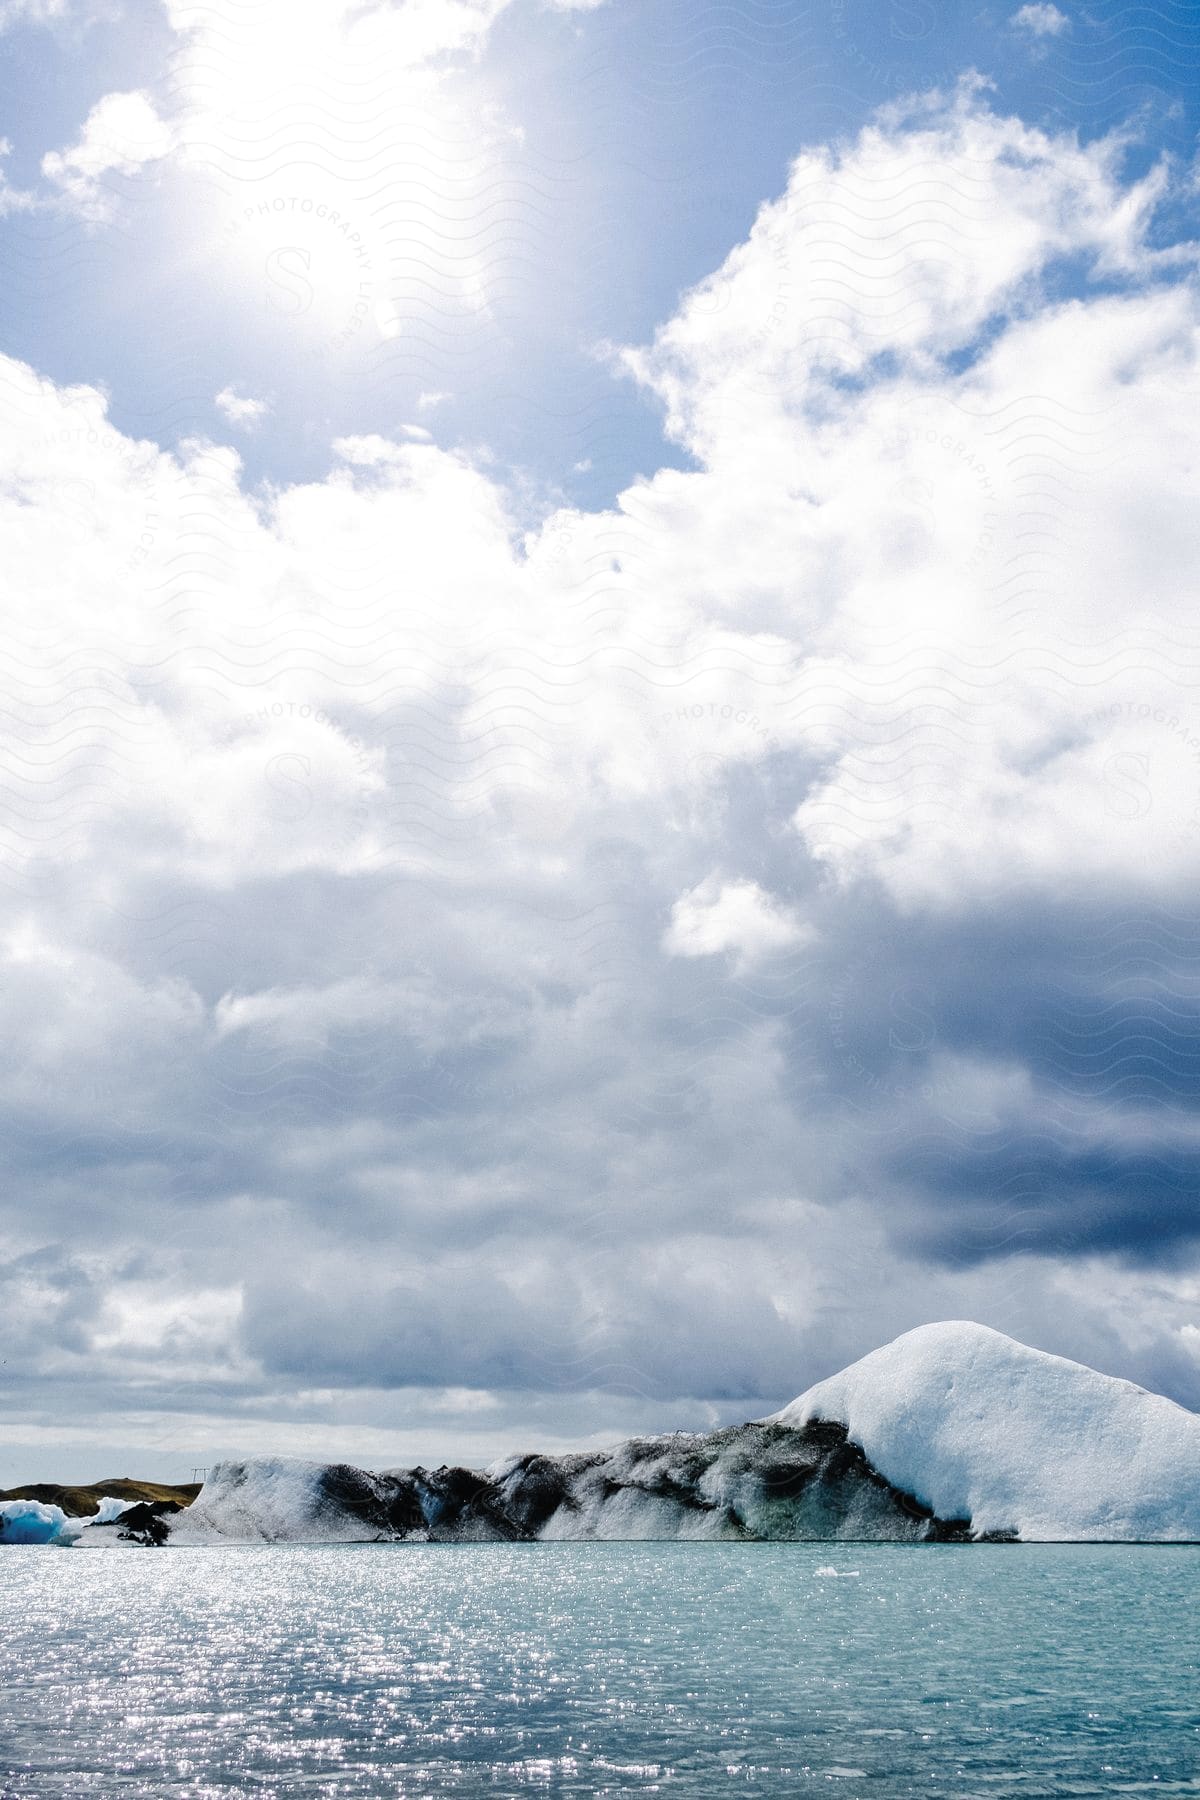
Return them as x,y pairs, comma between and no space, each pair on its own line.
949,1434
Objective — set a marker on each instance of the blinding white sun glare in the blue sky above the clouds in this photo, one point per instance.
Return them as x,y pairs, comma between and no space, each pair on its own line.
354,190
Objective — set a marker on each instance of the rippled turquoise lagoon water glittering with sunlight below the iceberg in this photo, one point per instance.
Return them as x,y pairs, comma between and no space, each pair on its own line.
602,1669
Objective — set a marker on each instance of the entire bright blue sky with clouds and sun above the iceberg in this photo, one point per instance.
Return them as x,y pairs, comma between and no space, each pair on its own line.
600,712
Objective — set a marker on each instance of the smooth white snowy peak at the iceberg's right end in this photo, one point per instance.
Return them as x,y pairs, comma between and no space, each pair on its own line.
978,1426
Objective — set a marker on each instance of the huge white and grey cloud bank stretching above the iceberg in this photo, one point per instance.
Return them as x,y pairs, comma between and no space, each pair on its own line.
665,949
